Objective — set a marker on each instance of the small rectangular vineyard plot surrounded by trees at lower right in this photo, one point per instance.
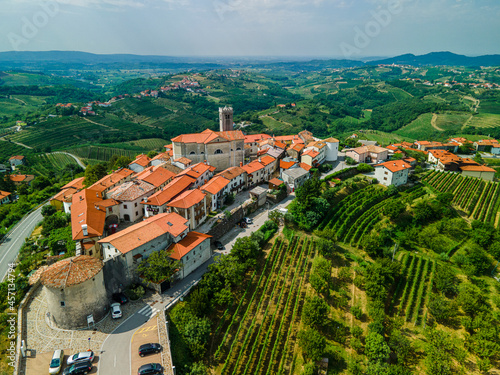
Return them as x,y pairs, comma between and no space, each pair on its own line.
412,292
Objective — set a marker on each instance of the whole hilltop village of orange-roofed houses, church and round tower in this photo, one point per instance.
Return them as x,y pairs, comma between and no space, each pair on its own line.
164,202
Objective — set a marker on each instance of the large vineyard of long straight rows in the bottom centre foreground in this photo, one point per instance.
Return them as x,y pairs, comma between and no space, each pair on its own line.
260,336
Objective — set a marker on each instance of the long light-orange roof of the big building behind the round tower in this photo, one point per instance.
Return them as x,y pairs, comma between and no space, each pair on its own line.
146,231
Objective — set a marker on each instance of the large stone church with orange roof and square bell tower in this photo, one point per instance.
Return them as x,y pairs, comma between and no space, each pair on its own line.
222,149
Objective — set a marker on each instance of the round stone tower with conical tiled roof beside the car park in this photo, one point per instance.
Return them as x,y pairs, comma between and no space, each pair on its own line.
75,289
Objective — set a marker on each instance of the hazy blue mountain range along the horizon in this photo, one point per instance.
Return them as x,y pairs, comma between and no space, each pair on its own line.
59,60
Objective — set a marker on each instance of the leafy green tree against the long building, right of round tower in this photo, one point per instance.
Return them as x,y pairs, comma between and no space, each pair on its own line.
159,267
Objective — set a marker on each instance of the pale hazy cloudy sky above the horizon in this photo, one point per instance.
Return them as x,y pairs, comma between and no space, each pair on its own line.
320,28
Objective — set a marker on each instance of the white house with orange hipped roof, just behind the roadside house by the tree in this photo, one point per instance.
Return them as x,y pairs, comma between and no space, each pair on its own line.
191,205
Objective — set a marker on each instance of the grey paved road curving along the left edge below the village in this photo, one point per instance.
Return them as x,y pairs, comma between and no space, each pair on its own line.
11,244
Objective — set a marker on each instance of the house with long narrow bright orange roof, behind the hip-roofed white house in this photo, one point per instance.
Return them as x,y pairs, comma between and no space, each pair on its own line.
157,203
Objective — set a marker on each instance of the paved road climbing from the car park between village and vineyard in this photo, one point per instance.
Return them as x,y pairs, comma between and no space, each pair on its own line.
115,352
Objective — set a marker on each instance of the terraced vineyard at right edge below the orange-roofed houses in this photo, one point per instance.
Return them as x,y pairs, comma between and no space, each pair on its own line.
475,196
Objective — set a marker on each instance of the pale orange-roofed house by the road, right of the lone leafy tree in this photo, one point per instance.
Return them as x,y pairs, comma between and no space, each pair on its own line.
192,251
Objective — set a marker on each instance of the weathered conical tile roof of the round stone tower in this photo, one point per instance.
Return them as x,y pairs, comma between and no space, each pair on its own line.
71,271
